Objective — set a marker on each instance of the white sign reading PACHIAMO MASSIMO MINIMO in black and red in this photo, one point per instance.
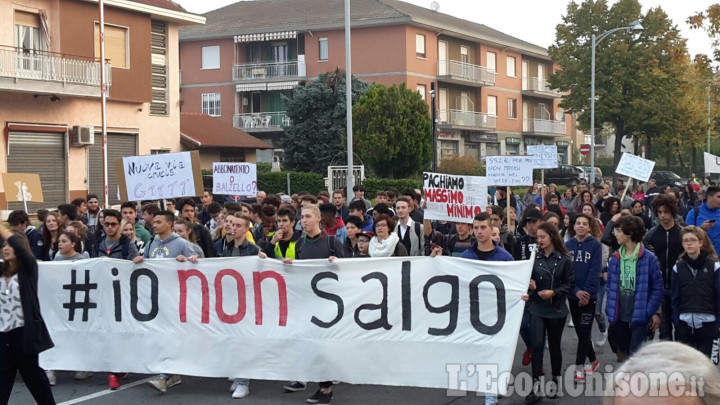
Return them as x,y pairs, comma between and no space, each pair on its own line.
454,198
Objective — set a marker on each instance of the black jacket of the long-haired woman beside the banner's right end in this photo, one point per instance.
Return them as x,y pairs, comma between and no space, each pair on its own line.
555,273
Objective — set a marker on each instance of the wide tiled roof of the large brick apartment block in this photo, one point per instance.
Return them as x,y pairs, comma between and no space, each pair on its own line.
248,17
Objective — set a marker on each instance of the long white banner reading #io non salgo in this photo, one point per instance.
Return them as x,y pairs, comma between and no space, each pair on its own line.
391,321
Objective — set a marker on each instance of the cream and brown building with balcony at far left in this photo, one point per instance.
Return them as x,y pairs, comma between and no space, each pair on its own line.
50,105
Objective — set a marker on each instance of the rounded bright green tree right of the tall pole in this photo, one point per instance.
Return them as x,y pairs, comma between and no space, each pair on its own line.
393,131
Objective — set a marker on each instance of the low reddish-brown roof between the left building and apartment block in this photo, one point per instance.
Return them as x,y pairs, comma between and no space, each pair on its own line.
199,131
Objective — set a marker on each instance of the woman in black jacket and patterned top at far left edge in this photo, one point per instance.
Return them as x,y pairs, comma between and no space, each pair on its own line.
23,335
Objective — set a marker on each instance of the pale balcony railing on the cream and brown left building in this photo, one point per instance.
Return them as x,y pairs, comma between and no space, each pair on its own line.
51,67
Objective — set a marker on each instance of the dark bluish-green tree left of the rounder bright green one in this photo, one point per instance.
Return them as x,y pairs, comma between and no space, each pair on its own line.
317,114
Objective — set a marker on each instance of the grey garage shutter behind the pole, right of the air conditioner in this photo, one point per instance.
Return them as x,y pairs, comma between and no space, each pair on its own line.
119,145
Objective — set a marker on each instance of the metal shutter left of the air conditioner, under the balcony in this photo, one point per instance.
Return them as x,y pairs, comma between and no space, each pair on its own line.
44,154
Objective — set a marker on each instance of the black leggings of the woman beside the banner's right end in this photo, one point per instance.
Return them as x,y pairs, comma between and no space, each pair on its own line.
554,327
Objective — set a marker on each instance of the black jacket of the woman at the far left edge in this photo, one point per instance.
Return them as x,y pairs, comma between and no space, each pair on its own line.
36,338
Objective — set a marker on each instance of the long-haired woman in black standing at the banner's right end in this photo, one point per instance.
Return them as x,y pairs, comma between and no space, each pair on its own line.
552,280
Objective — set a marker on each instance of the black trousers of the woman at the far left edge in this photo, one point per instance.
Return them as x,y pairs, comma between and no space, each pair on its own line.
12,361
